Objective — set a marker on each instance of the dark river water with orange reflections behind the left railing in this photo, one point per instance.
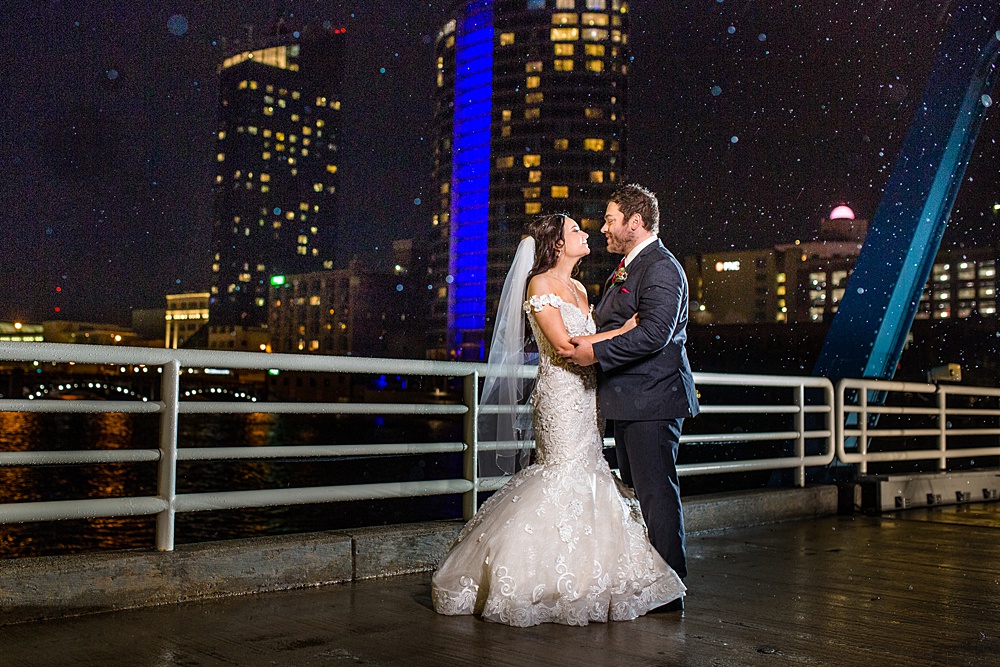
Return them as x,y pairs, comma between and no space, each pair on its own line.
55,432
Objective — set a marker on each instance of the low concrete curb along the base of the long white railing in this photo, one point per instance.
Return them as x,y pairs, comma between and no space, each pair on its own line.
59,586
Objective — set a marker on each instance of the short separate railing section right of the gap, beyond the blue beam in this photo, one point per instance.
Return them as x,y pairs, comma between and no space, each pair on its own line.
880,420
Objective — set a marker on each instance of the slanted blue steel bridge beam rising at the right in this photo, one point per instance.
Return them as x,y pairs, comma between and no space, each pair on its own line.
867,334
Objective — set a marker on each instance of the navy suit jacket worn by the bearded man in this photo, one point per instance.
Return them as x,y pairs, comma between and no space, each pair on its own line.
644,374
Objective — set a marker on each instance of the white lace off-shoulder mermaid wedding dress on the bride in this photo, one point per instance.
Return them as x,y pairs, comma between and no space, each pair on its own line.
563,541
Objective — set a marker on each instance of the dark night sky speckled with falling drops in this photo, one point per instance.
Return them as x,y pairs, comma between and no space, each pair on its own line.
750,123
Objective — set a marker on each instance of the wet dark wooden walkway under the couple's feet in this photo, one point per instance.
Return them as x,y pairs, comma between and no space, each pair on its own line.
917,588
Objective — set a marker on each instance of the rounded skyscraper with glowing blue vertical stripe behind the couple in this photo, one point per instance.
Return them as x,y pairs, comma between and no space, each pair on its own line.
530,119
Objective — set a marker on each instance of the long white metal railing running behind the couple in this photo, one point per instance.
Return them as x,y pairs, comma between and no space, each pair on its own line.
792,399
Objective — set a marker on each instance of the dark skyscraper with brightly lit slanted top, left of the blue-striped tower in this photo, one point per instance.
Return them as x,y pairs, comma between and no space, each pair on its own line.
276,179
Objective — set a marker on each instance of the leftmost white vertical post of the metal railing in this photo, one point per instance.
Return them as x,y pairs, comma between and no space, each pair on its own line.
166,478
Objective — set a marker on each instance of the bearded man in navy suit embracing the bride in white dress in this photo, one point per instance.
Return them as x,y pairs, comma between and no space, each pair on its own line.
644,379
